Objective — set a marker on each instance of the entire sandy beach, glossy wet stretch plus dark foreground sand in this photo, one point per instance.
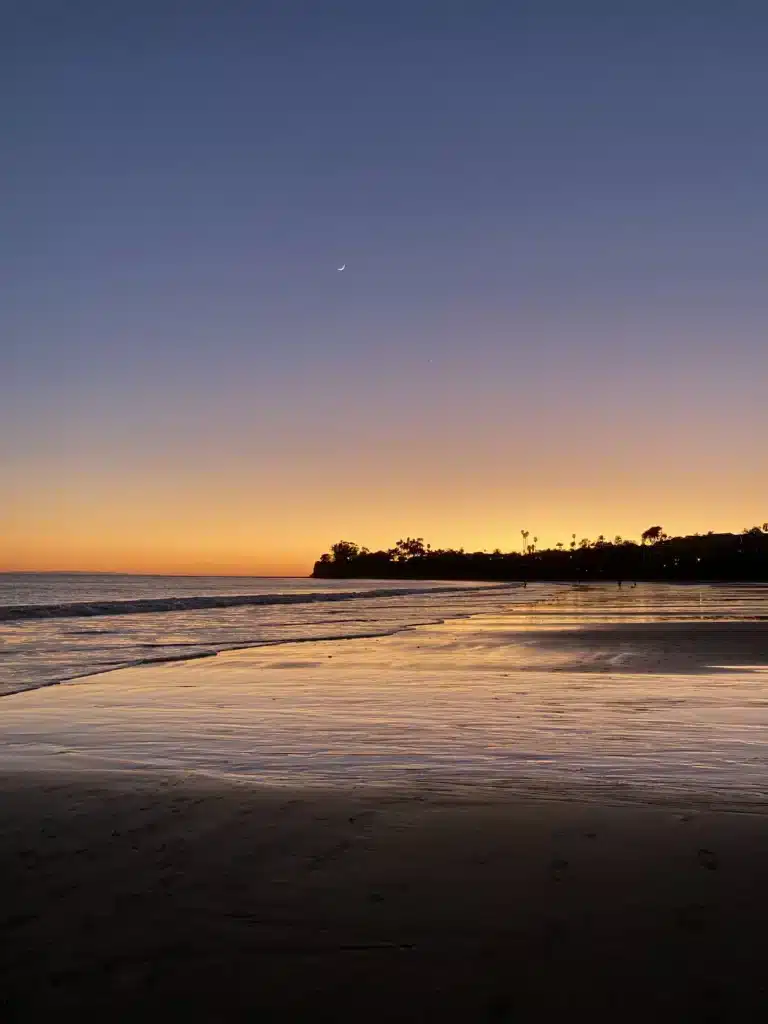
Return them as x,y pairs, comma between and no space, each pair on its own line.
558,808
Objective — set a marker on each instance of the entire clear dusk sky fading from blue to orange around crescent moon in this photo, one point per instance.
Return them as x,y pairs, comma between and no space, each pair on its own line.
553,317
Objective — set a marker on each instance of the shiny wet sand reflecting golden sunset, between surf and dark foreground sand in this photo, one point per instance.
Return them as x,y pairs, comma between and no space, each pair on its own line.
603,694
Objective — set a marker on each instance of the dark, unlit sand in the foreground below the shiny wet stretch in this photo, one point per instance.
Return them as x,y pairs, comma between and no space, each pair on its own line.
158,899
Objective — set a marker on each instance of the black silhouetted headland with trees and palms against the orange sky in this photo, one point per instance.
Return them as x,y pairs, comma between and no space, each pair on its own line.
712,557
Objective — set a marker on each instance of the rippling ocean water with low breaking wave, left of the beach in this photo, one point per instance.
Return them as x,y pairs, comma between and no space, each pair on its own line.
61,626
